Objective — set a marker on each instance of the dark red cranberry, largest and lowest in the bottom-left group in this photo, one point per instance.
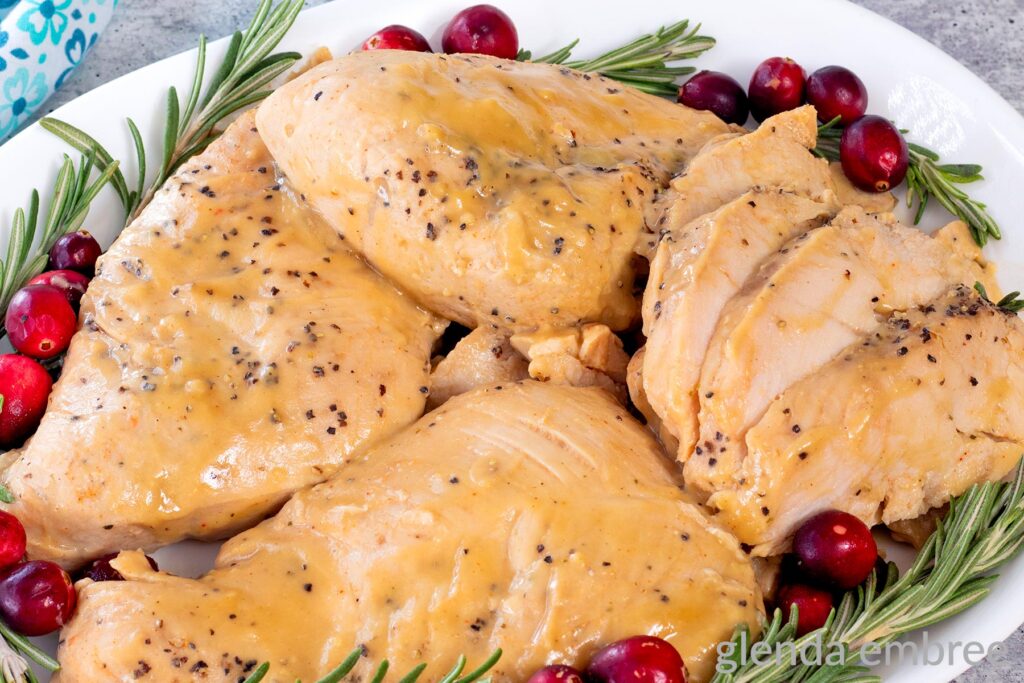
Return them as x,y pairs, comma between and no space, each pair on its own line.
36,599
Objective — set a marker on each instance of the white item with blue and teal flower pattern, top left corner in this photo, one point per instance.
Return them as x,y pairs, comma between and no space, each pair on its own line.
41,44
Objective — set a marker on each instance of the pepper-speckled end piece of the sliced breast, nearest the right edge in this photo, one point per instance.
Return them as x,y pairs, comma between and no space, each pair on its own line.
897,424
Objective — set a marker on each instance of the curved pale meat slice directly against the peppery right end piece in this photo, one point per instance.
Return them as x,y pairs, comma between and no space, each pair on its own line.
821,293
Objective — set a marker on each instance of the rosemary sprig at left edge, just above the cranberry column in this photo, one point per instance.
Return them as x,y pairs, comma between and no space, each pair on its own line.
31,239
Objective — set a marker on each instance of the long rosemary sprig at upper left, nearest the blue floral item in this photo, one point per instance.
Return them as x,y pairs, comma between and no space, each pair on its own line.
242,79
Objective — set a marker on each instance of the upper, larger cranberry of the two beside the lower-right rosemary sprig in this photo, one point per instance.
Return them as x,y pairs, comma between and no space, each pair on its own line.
836,549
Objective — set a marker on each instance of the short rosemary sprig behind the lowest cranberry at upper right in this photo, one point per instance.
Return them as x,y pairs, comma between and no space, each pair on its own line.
927,179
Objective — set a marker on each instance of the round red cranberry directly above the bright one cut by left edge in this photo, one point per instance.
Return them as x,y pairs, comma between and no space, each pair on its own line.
40,322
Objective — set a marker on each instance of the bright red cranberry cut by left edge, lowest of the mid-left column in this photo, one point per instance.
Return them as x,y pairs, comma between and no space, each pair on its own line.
25,387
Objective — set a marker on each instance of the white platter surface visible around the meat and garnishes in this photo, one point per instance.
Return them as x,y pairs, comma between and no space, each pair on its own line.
945,106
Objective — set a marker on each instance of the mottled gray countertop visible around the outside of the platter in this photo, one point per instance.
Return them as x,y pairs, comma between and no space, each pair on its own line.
988,36
